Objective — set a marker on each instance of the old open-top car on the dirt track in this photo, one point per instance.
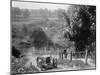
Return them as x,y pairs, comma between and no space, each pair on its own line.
46,62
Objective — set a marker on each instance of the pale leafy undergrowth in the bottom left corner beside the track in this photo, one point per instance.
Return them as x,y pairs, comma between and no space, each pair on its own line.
18,67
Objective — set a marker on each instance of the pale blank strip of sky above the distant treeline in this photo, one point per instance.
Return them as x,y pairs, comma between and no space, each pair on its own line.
34,5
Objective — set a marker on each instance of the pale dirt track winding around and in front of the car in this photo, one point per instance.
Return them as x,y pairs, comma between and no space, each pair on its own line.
32,59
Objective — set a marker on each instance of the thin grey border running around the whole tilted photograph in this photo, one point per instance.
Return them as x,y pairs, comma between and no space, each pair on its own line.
48,3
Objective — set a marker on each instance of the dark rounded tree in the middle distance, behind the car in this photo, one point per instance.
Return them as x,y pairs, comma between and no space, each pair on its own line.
39,38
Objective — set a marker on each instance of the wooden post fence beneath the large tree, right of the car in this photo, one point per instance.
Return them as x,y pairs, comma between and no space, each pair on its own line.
75,55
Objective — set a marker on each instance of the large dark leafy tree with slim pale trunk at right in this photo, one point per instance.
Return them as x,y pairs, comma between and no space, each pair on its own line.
82,27
